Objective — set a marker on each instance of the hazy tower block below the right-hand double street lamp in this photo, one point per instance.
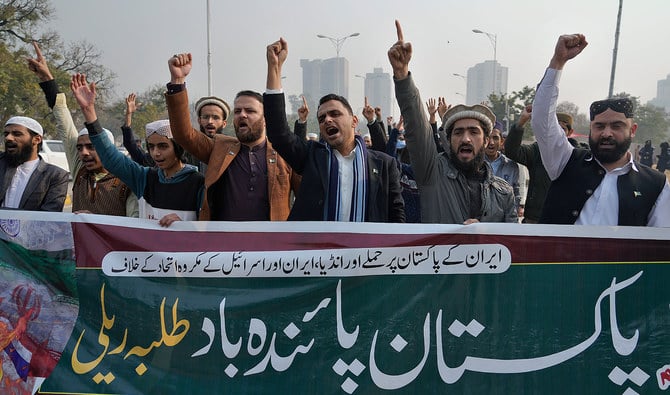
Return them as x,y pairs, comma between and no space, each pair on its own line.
481,80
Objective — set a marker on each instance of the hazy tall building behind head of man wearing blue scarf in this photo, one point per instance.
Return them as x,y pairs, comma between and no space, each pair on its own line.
323,76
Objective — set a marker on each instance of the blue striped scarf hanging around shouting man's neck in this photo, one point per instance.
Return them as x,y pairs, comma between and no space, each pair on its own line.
359,196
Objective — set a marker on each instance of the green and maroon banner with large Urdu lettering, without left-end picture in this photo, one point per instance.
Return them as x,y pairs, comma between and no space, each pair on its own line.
365,308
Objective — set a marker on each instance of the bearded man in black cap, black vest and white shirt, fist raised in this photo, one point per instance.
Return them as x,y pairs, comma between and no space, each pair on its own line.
603,186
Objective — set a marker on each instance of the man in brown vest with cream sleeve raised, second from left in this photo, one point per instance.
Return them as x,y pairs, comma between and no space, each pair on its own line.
94,189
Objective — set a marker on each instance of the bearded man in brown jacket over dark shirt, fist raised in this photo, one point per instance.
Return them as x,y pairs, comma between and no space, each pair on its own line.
245,180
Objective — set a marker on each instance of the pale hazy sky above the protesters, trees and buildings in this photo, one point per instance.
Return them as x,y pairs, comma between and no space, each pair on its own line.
136,37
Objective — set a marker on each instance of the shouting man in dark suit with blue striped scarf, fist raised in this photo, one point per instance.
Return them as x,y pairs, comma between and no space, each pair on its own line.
342,180
